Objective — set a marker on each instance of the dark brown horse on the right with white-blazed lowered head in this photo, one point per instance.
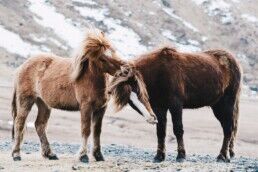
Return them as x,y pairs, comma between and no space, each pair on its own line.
177,80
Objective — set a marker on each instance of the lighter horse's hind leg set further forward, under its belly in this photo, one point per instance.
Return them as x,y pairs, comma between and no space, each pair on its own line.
40,125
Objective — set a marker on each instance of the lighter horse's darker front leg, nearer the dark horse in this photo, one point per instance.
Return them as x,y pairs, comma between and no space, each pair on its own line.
97,124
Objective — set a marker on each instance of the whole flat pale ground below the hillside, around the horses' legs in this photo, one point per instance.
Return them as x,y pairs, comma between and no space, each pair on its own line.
129,143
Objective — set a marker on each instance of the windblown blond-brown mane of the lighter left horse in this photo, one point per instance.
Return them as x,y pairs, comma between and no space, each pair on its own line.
93,46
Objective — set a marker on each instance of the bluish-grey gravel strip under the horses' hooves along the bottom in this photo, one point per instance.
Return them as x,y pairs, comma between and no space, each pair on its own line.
118,158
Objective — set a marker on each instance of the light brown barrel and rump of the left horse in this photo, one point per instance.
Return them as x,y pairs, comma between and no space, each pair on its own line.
47,76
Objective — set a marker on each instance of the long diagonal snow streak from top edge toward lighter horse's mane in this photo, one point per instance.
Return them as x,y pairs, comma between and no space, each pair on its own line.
47,16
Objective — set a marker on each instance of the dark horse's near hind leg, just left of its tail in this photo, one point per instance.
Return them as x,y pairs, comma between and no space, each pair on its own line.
223,111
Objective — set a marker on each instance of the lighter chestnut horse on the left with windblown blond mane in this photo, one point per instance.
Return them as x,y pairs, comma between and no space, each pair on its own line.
77,84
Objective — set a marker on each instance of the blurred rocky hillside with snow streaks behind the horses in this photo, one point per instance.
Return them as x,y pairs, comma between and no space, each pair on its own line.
31,26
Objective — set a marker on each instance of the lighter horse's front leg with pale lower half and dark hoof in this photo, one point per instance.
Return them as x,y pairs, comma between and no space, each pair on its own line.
86,113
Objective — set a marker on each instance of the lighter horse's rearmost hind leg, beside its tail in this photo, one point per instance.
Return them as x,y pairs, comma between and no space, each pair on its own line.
24,105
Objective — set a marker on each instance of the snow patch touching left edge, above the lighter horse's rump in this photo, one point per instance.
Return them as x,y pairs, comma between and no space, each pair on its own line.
13,43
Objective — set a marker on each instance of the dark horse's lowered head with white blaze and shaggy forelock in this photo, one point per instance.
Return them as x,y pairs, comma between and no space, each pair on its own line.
128,87
